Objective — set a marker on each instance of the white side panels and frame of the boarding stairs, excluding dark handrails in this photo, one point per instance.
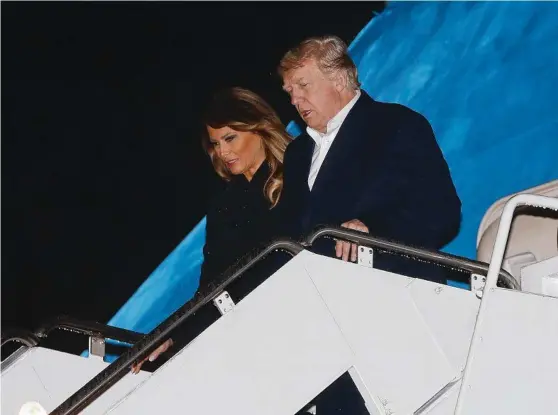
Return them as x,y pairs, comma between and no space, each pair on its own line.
410,346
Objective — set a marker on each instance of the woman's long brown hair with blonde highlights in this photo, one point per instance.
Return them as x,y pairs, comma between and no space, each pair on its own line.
244,110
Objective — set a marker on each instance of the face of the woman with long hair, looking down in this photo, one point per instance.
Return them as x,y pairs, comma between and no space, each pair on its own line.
241,152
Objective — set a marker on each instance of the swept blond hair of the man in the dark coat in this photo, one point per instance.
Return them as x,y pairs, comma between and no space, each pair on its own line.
330,54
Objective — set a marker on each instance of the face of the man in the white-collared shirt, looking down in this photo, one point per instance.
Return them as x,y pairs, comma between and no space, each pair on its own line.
315,95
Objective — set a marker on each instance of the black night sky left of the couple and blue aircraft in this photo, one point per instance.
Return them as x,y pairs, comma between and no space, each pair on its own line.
102,168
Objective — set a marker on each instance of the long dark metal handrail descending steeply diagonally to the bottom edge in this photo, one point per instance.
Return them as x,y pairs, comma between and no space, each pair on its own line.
119,368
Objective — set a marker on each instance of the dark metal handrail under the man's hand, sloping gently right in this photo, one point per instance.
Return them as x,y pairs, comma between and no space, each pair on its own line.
437,257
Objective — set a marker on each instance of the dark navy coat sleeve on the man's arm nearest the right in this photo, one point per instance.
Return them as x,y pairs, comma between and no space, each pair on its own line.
414,201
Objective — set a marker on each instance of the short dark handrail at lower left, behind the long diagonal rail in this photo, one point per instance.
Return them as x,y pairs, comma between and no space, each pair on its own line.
89,328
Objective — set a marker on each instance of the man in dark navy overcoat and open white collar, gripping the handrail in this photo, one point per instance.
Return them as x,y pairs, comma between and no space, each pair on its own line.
362,164
